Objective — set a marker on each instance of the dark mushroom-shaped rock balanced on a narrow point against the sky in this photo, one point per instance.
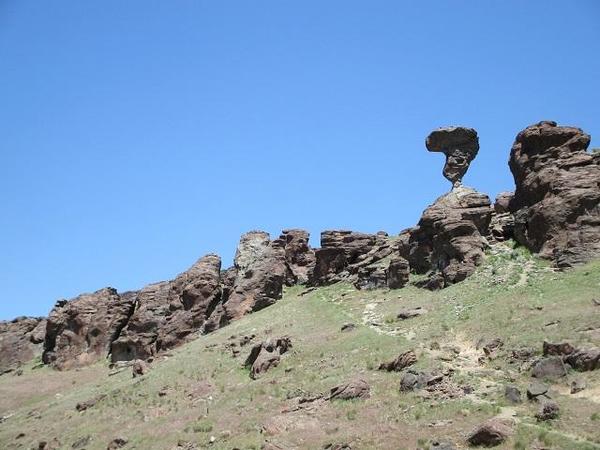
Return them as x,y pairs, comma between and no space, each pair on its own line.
459,144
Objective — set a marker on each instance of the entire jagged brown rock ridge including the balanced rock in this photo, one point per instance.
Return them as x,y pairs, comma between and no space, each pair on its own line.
554,212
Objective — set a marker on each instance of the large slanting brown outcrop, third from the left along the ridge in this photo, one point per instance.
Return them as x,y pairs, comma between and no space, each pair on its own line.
168,313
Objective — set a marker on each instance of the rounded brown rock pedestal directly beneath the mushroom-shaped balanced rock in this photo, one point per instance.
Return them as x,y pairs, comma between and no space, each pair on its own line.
449,239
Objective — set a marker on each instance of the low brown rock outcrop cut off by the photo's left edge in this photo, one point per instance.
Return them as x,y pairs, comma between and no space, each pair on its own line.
20,341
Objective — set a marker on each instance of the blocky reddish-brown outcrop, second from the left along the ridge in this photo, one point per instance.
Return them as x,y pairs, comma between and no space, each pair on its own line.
80,331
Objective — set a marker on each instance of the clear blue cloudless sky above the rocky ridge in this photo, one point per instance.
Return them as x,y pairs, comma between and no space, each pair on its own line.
136,136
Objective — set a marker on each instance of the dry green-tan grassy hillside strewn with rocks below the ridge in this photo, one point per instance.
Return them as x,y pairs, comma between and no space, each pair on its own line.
201,393
